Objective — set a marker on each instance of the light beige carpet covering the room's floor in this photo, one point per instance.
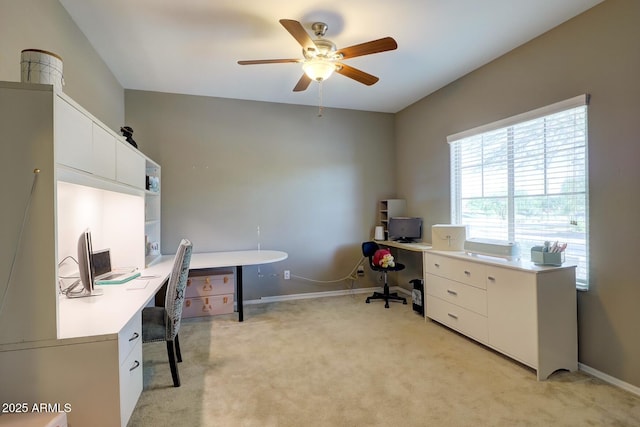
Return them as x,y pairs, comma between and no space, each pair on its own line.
340,362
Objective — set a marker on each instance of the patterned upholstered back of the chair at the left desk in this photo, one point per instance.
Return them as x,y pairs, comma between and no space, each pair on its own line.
174,299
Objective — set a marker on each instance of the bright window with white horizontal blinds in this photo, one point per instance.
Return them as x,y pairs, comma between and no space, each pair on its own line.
524,179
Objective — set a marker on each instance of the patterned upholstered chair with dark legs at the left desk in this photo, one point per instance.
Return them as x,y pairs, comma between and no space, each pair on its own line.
163,323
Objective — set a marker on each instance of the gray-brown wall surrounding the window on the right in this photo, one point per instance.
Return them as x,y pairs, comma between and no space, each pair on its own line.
596,53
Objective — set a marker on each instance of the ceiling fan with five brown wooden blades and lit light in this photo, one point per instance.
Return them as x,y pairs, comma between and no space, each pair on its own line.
321,58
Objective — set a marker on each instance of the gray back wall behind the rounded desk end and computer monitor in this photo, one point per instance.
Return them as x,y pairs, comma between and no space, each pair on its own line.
311,184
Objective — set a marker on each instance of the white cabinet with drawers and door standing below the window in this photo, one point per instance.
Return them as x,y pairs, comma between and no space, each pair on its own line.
526,312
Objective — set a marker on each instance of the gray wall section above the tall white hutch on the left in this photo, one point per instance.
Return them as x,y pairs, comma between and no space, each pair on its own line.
46,25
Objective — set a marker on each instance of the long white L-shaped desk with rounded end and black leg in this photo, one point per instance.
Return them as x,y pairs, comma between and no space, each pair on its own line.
99,346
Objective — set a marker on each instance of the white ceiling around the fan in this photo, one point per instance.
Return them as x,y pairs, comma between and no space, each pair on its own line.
192,46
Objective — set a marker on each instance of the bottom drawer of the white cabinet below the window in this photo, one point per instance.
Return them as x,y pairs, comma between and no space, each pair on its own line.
465,321
